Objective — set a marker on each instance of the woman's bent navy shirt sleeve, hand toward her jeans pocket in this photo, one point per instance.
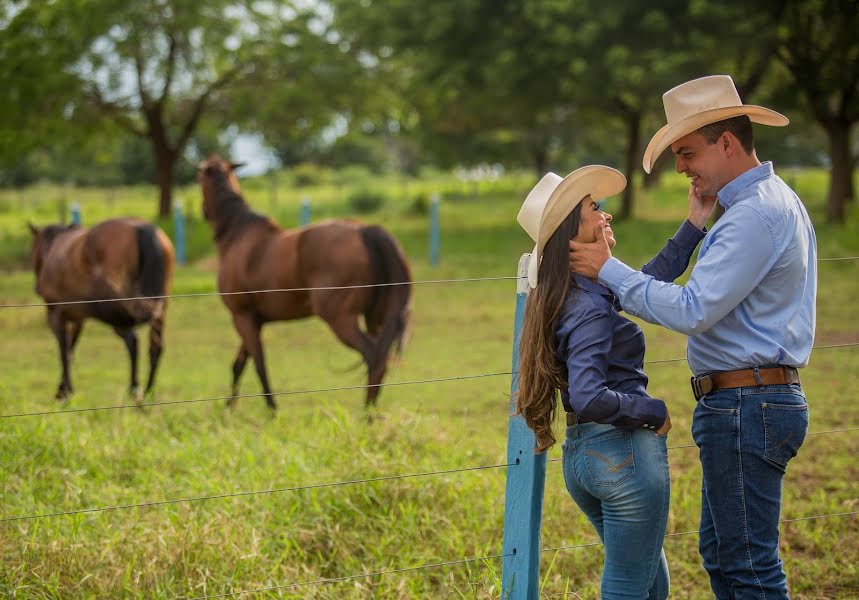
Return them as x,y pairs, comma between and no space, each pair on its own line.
588,341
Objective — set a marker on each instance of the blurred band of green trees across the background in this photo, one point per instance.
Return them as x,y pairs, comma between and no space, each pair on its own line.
108,92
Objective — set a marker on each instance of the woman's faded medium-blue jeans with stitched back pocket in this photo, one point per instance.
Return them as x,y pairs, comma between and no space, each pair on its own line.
619,479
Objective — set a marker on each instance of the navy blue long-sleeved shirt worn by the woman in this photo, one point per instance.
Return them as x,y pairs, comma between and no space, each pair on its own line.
604,351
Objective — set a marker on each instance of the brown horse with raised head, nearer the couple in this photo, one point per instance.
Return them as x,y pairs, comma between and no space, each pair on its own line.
256,254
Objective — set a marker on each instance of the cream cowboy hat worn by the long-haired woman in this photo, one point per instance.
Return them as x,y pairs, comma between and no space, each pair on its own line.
554,198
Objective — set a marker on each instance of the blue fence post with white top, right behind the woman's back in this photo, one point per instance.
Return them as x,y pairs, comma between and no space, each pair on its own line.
526,478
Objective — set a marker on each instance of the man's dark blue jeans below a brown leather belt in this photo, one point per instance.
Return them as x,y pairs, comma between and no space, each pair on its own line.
746,437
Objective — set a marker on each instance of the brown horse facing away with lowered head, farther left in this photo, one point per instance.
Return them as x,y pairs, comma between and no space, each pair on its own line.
119,258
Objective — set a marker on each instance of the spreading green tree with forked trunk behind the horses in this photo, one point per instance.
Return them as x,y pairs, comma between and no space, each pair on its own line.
152,67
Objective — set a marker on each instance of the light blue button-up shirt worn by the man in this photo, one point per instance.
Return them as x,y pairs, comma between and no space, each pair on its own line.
751,297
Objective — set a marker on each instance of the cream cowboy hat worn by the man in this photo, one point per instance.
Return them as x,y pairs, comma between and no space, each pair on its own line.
699,102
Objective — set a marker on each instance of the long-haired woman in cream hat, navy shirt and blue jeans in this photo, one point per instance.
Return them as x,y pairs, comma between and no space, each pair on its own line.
574,340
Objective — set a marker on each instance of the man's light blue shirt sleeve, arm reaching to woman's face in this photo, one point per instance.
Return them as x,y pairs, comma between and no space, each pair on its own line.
740,254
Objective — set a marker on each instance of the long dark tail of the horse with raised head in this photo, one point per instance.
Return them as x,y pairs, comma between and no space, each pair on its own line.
389,311
